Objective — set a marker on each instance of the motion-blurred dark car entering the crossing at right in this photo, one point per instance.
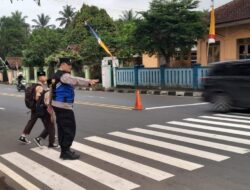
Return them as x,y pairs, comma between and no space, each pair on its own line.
228,85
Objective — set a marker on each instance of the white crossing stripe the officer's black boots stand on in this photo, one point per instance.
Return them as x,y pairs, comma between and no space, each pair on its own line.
88,170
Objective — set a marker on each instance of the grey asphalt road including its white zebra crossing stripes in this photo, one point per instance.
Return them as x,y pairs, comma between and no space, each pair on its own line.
125,149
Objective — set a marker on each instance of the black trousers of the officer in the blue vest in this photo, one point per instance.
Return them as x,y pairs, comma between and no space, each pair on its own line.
66,125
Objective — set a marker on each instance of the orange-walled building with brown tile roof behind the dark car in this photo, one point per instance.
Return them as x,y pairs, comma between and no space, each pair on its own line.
232,34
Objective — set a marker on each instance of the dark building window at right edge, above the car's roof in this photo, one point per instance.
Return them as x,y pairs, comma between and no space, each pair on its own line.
243,48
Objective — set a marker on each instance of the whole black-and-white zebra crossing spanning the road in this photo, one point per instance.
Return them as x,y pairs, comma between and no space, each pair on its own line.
222,136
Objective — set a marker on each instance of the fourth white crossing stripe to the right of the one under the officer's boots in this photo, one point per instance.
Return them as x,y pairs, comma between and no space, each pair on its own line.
209,144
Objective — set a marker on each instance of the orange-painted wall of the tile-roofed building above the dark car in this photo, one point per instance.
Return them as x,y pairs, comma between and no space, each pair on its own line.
228,37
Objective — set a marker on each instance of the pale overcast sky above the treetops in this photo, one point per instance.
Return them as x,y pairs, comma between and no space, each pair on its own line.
52,7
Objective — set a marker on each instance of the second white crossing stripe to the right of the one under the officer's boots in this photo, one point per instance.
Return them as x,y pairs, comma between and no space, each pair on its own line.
146,153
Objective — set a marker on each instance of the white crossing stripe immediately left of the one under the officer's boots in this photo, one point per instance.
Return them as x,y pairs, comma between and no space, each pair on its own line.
41,173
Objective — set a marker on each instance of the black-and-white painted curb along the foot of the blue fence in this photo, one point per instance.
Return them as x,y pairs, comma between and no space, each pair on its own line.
149,92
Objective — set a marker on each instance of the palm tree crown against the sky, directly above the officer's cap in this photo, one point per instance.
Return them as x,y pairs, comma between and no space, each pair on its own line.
67,16
